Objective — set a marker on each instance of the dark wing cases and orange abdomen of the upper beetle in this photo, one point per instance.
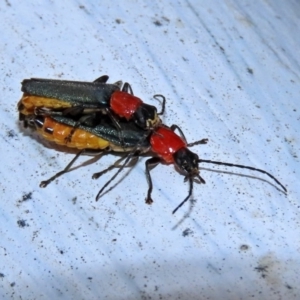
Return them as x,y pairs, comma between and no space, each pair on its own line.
59,95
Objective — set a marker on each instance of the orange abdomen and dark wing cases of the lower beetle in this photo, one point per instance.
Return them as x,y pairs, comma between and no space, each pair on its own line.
104,135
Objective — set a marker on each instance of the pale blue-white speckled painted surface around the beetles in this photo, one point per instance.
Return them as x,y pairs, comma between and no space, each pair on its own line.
230,72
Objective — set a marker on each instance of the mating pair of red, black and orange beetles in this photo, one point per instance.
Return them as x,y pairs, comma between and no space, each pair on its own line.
101,116
